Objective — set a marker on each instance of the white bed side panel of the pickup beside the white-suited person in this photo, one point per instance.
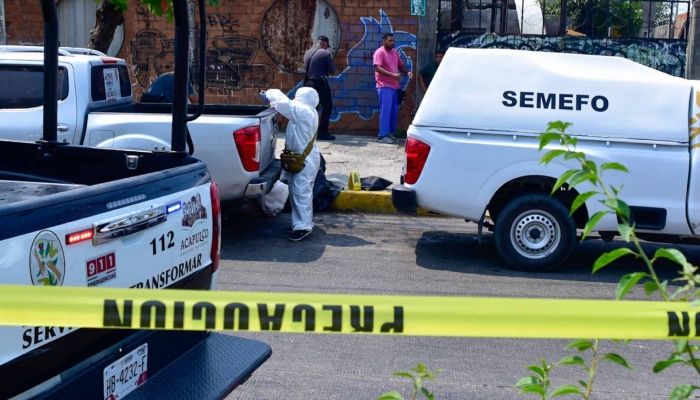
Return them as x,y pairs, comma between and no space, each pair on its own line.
145,126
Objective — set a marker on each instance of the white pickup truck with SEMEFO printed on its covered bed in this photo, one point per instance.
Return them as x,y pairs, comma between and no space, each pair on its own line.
473,148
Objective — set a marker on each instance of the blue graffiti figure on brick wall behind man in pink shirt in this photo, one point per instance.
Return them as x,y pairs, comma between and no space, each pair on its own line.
354,90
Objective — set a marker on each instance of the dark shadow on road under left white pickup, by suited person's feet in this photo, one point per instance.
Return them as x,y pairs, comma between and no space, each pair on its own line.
266,239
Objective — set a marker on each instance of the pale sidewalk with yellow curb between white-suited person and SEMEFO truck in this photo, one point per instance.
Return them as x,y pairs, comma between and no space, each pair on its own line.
366,156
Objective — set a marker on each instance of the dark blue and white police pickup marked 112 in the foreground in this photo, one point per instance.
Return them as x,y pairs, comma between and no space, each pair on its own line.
97,217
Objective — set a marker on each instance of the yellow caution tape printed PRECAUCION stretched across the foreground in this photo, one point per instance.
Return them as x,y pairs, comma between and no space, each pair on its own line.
333,313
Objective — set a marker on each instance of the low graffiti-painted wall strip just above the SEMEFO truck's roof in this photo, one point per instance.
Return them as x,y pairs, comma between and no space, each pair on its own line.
665,55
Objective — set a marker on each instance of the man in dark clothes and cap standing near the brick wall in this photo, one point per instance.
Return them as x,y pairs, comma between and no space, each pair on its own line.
319,65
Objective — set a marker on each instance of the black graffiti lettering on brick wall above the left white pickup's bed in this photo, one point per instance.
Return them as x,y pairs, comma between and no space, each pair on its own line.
229,60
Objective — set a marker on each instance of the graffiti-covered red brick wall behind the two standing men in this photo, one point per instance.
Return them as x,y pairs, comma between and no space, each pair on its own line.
251,47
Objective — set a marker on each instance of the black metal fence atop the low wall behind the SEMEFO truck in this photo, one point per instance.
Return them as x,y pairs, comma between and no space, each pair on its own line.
652,19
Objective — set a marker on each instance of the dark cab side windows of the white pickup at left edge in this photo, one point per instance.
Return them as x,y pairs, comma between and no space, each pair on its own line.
21,86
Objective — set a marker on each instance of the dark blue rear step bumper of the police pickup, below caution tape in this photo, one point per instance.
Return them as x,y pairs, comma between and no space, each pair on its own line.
179,365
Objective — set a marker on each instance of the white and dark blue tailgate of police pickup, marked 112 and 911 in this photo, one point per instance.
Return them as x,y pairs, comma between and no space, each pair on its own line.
153,231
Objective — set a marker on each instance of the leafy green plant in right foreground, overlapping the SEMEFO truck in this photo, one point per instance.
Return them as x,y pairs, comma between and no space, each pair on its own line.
587,173
